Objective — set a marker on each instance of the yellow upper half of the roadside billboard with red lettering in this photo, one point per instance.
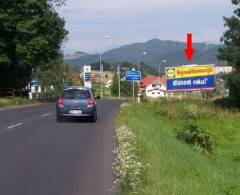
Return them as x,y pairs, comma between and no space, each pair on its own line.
190,71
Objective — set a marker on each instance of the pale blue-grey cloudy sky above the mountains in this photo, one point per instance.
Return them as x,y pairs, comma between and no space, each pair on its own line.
130,21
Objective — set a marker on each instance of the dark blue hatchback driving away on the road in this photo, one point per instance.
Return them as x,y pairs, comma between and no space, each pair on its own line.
76,102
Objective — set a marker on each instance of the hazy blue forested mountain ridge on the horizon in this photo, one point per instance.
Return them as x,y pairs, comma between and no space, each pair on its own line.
157,51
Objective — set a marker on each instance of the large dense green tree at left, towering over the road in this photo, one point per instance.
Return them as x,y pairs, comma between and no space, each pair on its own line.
31,36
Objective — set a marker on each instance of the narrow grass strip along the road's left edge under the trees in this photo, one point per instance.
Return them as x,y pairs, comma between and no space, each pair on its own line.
9,102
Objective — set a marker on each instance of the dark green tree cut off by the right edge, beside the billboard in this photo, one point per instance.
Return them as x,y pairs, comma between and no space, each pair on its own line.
231,39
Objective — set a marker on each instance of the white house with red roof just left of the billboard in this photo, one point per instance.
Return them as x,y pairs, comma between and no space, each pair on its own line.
154,87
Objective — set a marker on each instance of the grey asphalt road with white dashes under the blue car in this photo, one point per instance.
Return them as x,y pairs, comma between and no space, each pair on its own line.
41,157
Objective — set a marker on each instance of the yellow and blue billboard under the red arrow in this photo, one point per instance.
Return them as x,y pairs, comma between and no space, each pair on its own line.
190,78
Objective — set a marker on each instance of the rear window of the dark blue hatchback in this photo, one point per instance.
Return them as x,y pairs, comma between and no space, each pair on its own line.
76,93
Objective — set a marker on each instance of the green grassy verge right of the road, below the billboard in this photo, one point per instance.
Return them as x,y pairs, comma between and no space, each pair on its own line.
176,167
